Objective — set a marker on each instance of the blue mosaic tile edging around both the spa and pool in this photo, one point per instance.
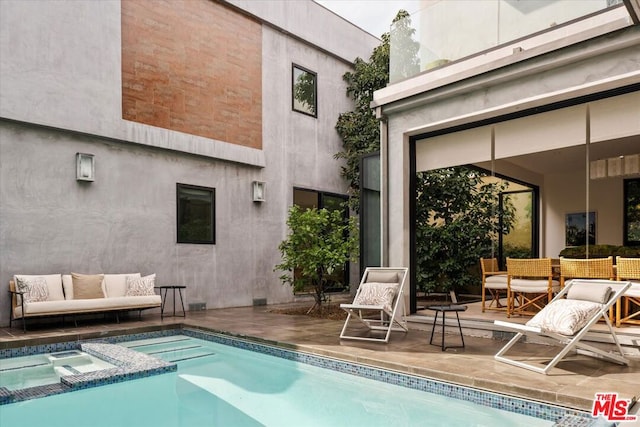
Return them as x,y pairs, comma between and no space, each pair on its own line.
101,345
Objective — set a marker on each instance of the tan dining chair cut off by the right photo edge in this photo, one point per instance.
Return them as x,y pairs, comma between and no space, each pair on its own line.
628,306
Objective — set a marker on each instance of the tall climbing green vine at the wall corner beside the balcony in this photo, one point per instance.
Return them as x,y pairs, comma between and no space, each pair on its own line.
359,128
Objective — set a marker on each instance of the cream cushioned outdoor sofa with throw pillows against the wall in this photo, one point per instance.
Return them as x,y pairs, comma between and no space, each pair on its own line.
70,294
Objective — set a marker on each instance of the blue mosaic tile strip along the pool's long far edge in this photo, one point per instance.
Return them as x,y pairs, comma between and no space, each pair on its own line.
568,417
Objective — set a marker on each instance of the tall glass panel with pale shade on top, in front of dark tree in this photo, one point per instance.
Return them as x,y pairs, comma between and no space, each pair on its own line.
456,212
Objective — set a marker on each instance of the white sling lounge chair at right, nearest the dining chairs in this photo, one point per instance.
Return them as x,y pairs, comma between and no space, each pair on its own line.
568,320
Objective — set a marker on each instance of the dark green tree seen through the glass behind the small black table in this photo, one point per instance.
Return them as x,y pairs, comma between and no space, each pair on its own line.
457,212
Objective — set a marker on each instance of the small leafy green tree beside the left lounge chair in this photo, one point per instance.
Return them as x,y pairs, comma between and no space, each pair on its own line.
320,242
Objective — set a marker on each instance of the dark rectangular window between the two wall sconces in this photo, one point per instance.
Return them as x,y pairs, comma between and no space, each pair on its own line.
196,214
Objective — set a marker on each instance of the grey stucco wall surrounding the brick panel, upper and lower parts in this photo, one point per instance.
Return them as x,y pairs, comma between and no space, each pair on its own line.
60,94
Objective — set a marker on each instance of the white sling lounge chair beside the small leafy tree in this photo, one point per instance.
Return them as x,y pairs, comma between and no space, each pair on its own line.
378,304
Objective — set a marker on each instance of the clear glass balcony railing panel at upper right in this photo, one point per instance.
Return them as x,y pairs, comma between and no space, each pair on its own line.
439,33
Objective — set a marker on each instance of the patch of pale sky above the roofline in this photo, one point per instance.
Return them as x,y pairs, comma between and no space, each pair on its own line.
374,16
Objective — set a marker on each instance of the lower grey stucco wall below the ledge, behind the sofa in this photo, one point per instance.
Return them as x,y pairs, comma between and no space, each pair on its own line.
125,221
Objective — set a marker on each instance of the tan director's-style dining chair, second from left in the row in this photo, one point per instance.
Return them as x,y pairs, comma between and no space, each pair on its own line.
530,283
